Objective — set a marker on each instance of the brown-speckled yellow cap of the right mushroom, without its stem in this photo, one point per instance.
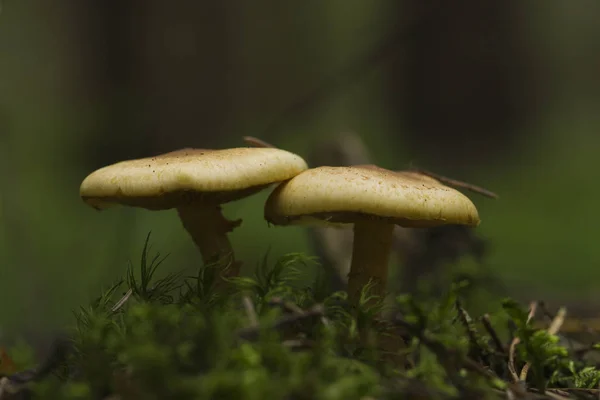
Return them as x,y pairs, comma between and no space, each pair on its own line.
349,194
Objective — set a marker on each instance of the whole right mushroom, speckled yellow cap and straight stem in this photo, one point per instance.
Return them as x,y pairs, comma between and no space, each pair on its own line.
374,200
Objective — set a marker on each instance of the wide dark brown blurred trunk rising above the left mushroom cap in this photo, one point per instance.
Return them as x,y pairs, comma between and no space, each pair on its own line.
158,74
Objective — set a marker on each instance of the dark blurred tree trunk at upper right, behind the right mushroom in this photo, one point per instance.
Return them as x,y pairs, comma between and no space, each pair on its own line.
462,81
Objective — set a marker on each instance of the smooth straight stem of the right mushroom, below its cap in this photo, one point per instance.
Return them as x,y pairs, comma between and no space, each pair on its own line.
370,258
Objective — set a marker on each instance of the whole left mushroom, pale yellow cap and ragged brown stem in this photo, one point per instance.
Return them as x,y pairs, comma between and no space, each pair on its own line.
195,182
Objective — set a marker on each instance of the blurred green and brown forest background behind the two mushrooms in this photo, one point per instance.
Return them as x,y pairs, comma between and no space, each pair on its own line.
505,94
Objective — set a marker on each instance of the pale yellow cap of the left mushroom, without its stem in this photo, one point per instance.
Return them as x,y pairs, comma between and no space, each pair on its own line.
189,175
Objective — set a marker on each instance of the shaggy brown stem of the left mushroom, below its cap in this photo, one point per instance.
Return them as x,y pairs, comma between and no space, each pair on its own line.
209,228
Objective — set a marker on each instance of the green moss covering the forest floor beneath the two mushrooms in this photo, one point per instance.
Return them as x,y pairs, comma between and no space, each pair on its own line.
269,337
